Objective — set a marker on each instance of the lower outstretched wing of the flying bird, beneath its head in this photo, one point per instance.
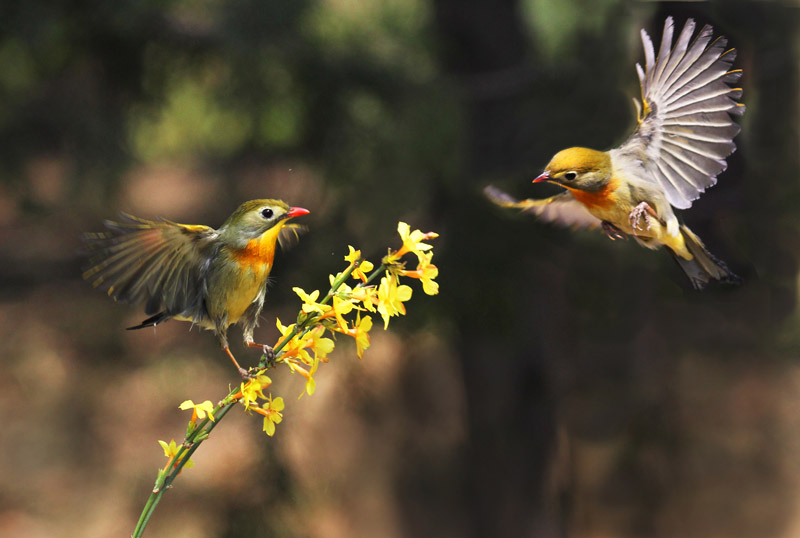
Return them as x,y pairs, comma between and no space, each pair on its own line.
561,209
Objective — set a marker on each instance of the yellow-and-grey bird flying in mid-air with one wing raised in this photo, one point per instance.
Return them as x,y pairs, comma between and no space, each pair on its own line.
679,147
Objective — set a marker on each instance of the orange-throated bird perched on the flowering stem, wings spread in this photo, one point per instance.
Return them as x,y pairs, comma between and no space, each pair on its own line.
211,278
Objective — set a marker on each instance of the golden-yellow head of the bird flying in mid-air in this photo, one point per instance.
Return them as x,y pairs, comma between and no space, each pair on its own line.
578,168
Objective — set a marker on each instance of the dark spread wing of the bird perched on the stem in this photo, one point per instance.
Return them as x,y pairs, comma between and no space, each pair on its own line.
161,263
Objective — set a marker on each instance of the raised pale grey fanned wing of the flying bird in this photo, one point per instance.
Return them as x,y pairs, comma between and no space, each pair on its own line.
685,128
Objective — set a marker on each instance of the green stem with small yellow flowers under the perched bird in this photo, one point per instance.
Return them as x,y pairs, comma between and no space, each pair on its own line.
345,309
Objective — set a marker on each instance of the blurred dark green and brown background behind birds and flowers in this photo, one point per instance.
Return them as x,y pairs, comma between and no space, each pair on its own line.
561,385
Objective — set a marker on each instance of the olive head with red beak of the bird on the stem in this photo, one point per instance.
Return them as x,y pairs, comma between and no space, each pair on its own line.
252,219
